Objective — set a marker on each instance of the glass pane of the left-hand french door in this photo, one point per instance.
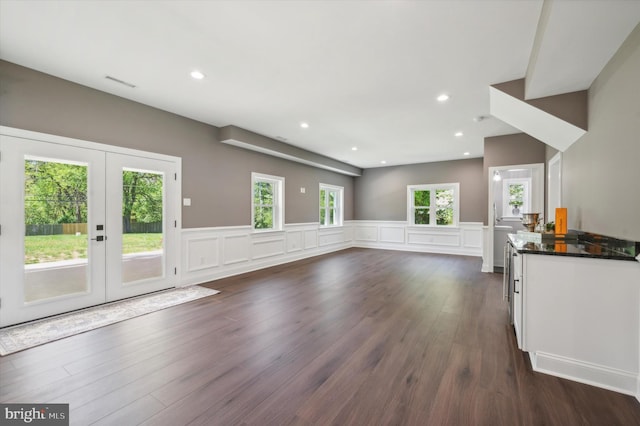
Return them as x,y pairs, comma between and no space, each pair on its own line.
56,241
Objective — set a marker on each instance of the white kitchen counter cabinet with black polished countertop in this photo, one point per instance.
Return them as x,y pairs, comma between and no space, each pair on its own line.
576,308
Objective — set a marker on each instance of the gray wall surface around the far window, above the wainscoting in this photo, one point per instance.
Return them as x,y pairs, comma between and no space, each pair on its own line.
381,193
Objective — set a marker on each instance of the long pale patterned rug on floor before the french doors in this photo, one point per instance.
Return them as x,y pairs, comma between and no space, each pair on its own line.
24,336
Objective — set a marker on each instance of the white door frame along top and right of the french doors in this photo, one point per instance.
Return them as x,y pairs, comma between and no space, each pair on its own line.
174,255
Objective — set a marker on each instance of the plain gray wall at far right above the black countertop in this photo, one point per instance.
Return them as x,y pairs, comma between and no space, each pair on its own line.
601,171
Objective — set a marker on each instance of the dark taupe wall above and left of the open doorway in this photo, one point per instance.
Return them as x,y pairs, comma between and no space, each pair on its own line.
509,150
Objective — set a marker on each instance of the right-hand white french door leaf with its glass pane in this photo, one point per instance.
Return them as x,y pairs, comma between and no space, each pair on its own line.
140,225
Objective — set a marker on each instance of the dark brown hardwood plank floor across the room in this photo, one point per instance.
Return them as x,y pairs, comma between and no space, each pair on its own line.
358,337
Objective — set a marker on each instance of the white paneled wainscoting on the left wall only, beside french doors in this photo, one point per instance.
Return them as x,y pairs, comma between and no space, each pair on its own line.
213,253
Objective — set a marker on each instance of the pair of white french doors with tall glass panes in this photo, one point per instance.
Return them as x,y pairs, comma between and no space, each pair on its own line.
81,227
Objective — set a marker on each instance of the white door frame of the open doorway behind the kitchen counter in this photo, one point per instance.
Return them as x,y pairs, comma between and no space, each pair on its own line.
537,204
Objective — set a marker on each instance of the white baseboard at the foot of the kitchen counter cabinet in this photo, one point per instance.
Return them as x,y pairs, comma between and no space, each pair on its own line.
579,371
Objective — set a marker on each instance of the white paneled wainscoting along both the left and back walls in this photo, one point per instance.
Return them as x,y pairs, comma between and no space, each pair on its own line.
213,253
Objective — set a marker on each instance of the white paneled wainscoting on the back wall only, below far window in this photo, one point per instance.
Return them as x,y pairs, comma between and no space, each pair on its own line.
465,239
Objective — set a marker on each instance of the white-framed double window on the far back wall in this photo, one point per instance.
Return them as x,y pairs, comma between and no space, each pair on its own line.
433,205
